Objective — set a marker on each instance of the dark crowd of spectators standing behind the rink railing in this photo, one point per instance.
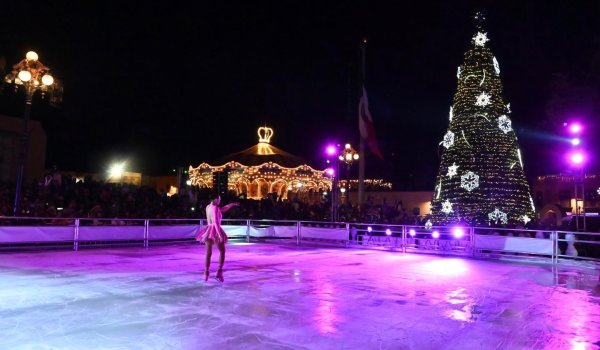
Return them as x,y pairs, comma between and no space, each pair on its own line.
65,197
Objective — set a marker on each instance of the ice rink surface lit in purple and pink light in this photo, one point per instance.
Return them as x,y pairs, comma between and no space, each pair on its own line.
287,297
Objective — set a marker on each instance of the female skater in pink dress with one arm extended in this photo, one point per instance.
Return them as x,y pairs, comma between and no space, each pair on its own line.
213,234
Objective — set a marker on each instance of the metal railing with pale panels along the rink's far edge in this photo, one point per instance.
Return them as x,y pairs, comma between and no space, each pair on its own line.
469,241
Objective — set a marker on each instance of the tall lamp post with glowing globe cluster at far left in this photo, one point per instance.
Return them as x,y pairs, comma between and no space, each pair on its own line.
32,75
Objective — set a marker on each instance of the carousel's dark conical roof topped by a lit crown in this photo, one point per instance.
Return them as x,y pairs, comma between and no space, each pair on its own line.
263,152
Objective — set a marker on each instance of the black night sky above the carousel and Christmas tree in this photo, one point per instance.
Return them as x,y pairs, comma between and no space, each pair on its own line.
167,84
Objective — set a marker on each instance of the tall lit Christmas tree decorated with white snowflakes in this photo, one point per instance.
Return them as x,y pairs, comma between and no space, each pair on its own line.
481,178
